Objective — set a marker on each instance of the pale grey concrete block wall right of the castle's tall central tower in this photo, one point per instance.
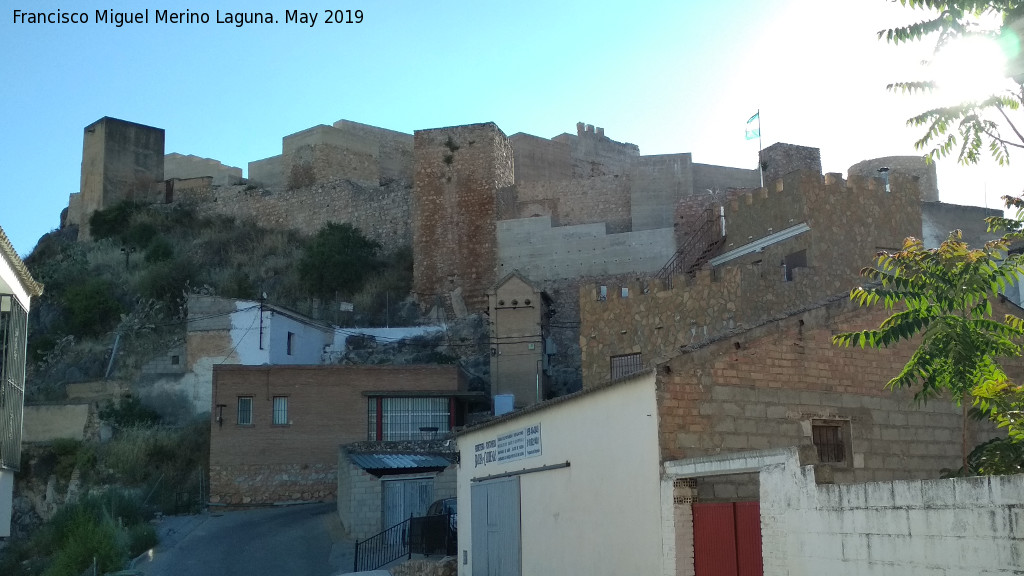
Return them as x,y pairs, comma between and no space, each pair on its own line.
543,253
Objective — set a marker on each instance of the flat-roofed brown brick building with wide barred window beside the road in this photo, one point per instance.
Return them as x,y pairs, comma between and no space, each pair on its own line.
277,430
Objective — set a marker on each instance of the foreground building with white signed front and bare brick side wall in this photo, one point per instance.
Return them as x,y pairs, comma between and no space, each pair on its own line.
777,385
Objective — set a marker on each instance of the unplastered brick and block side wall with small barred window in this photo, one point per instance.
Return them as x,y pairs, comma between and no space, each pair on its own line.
761,389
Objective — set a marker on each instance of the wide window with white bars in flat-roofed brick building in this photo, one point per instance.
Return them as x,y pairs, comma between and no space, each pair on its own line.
408,419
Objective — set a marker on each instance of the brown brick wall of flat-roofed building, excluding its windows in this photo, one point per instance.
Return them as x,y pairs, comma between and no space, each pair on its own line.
268,464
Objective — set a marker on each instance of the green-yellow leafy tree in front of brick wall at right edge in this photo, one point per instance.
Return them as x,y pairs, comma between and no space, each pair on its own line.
946,296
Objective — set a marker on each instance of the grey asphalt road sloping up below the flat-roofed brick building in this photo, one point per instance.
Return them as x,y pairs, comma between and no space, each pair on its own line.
303,541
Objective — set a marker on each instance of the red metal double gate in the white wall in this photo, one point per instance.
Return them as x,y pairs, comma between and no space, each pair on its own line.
728,540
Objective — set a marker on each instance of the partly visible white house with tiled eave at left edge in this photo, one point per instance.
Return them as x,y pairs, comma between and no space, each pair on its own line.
17,290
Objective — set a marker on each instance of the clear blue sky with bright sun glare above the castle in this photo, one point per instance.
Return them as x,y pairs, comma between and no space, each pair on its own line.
674,76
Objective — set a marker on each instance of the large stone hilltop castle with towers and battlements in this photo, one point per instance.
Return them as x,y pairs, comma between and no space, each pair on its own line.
574,215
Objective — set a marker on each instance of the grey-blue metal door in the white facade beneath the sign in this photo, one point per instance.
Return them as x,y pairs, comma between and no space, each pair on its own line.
497,537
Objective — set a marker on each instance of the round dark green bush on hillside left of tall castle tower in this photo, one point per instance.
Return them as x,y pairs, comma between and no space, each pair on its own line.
337,260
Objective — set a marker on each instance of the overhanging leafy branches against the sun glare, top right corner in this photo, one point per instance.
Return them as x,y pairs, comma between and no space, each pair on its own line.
966,128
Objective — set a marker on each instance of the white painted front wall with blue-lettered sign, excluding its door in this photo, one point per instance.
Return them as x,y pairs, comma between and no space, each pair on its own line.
603,514
